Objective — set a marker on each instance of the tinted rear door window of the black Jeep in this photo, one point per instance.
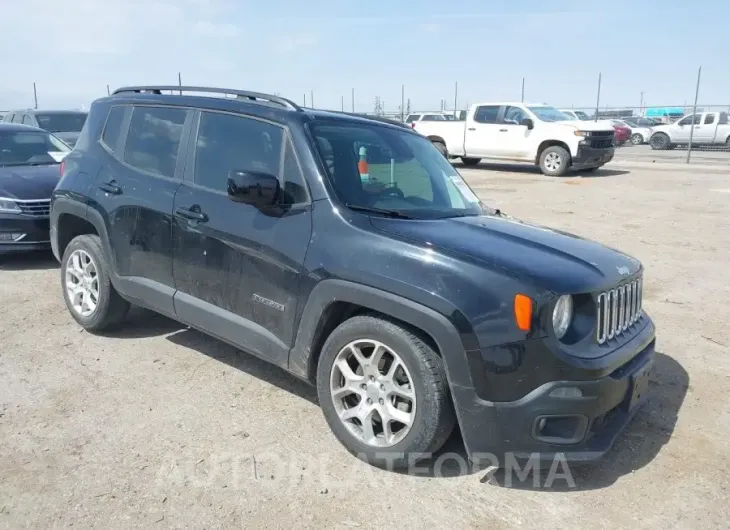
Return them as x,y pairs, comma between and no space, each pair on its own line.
153,141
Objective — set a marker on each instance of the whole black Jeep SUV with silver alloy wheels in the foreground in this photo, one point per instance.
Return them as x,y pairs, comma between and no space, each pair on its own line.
268,226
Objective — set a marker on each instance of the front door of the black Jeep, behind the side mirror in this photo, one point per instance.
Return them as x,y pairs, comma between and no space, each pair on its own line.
237,268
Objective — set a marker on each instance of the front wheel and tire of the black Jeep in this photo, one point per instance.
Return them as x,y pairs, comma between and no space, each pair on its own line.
433,419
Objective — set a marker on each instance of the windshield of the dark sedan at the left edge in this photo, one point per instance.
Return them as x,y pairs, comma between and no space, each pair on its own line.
21,148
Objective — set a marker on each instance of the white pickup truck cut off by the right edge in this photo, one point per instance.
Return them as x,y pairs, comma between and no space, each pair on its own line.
706,128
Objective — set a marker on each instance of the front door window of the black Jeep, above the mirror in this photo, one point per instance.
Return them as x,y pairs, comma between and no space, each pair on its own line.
226,142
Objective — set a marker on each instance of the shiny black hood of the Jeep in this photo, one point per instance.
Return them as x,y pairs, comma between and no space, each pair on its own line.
558,261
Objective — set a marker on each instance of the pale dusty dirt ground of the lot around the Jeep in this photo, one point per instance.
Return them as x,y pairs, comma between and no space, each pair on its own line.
161,426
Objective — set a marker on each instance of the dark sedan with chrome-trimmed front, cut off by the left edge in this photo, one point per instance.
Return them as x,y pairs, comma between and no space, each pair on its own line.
29,170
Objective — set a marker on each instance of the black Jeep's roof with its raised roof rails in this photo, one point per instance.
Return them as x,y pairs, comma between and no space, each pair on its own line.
258,104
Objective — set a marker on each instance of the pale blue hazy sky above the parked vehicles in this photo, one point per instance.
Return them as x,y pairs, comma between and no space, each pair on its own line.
73,49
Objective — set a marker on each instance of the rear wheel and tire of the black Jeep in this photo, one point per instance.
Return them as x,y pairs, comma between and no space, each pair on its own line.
110,308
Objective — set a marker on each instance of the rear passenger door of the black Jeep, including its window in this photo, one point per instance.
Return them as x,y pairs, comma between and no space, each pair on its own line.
134,192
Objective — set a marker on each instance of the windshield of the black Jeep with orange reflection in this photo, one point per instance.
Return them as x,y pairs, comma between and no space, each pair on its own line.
392,171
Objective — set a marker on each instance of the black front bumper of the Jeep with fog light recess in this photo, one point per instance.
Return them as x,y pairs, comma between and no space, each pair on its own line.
578,426
